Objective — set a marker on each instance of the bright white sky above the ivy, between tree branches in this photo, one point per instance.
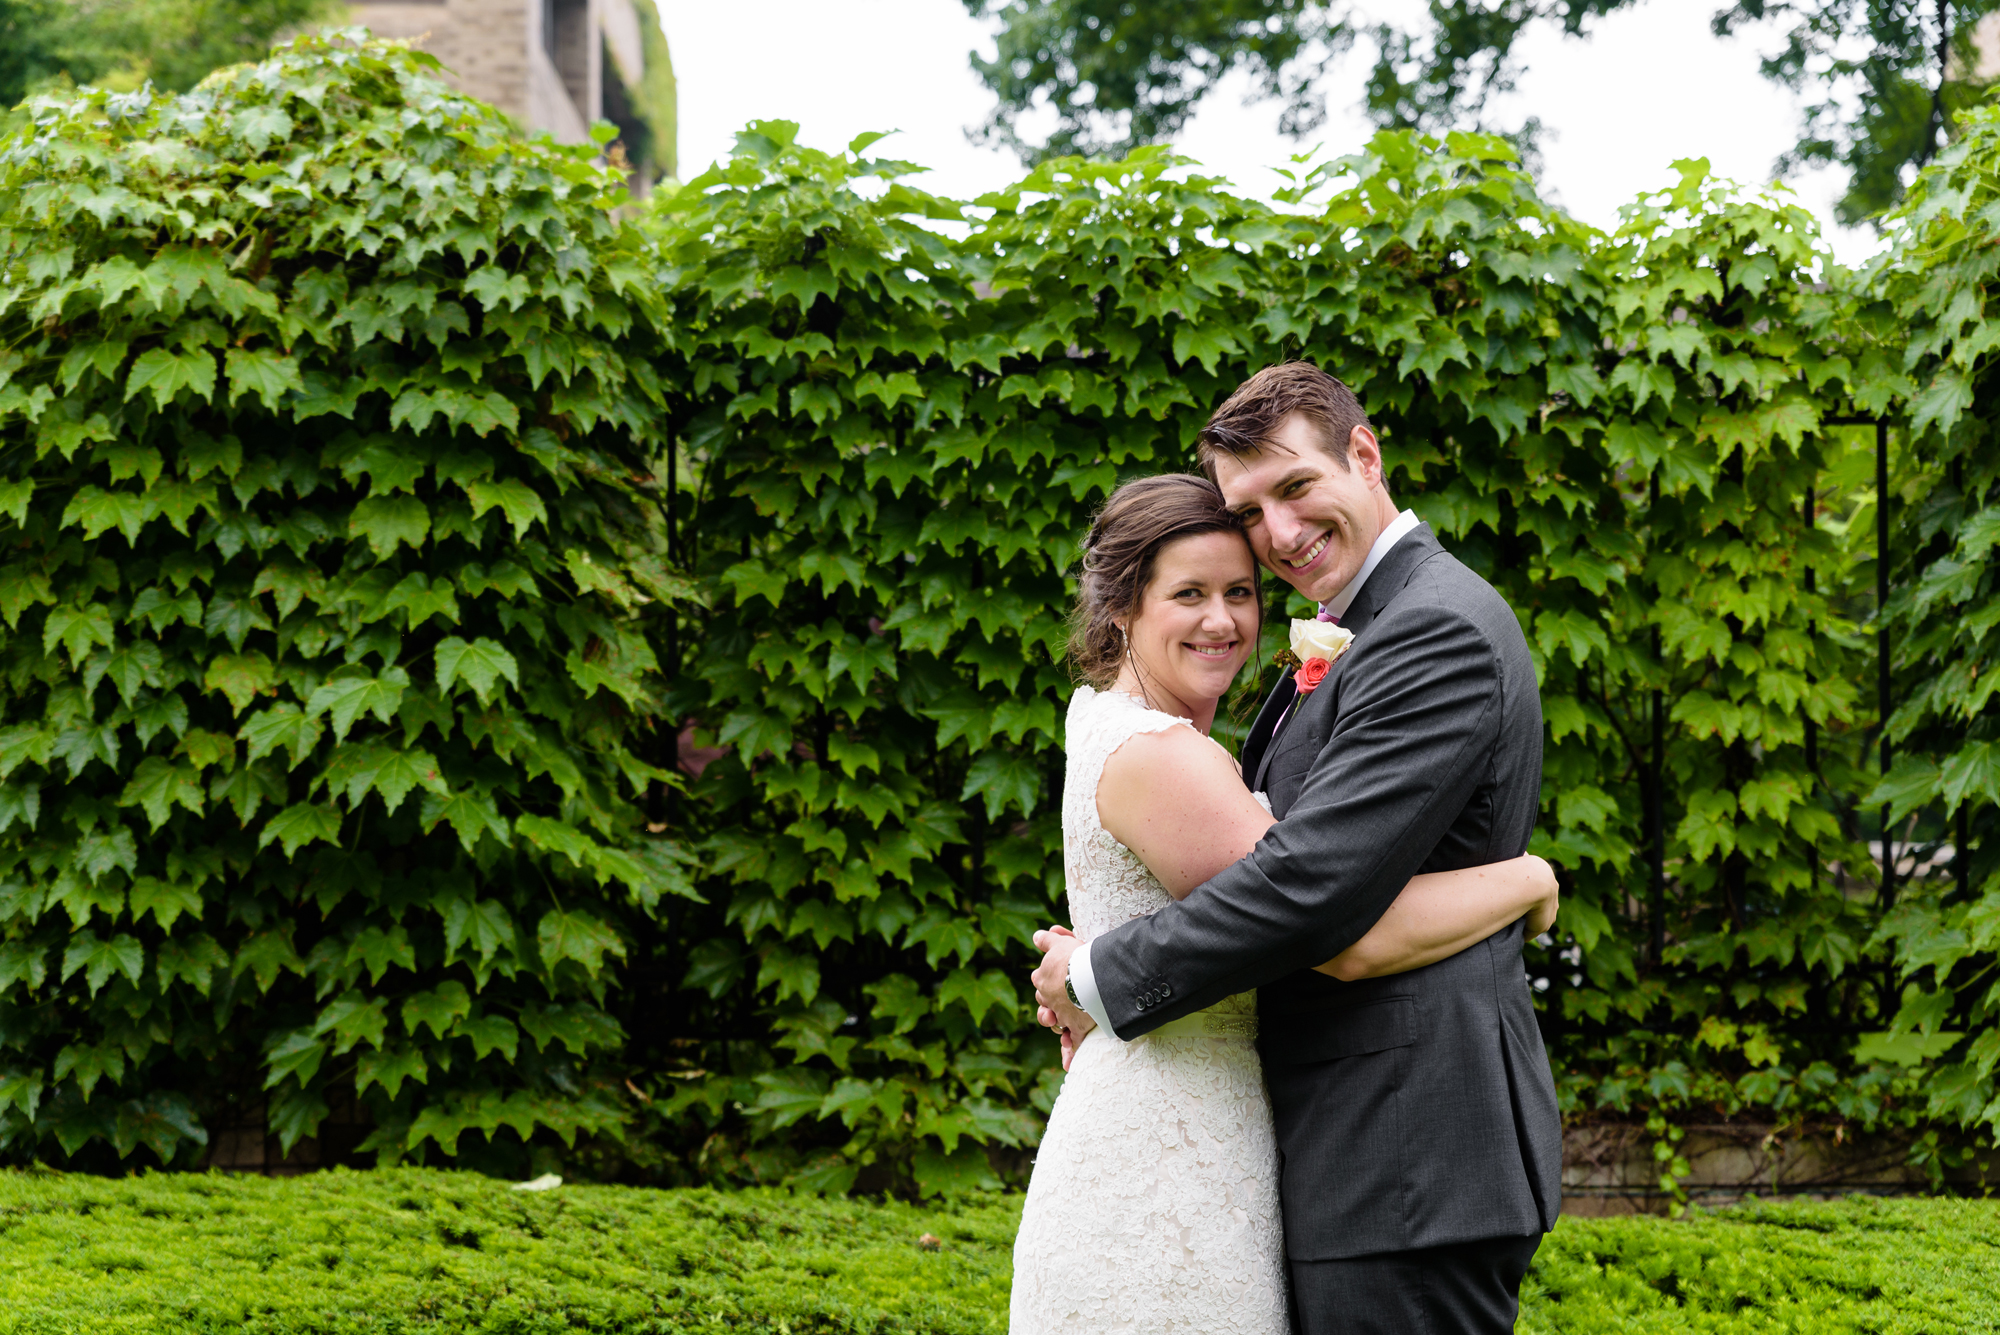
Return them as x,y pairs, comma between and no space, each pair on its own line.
1649,87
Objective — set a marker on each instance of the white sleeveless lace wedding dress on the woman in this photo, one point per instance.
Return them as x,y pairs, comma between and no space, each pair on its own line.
1155,1194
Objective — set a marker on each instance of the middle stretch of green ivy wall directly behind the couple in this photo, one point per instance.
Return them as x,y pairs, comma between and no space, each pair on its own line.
889,479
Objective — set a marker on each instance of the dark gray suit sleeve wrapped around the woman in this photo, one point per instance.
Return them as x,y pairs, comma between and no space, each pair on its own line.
1419,720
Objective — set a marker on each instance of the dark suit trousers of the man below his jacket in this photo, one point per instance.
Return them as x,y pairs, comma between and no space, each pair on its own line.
1459,1290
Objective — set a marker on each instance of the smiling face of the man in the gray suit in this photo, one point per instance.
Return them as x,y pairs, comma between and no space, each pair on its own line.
1309,519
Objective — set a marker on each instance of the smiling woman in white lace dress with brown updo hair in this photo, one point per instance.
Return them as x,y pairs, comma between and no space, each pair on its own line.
1155,1194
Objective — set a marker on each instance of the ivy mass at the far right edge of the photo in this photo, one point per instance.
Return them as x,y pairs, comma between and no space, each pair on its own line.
1945,788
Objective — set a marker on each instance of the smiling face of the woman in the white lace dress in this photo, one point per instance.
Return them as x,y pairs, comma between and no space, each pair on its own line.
1195,627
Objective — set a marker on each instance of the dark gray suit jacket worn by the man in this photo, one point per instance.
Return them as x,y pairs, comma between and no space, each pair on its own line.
1413,1110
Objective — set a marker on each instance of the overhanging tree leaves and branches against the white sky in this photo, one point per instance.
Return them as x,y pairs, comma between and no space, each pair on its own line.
1123,75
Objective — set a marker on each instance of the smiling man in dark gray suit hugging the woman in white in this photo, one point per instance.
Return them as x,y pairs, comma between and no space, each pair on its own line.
1417,1118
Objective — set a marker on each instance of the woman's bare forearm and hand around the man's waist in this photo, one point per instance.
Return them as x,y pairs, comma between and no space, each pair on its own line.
1443,912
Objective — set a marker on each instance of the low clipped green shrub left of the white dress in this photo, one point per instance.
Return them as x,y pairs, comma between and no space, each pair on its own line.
455,1252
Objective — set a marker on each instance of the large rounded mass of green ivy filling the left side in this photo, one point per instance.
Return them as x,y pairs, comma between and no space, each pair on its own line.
327,437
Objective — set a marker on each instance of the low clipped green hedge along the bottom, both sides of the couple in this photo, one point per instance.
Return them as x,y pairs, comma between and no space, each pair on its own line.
435,1252
